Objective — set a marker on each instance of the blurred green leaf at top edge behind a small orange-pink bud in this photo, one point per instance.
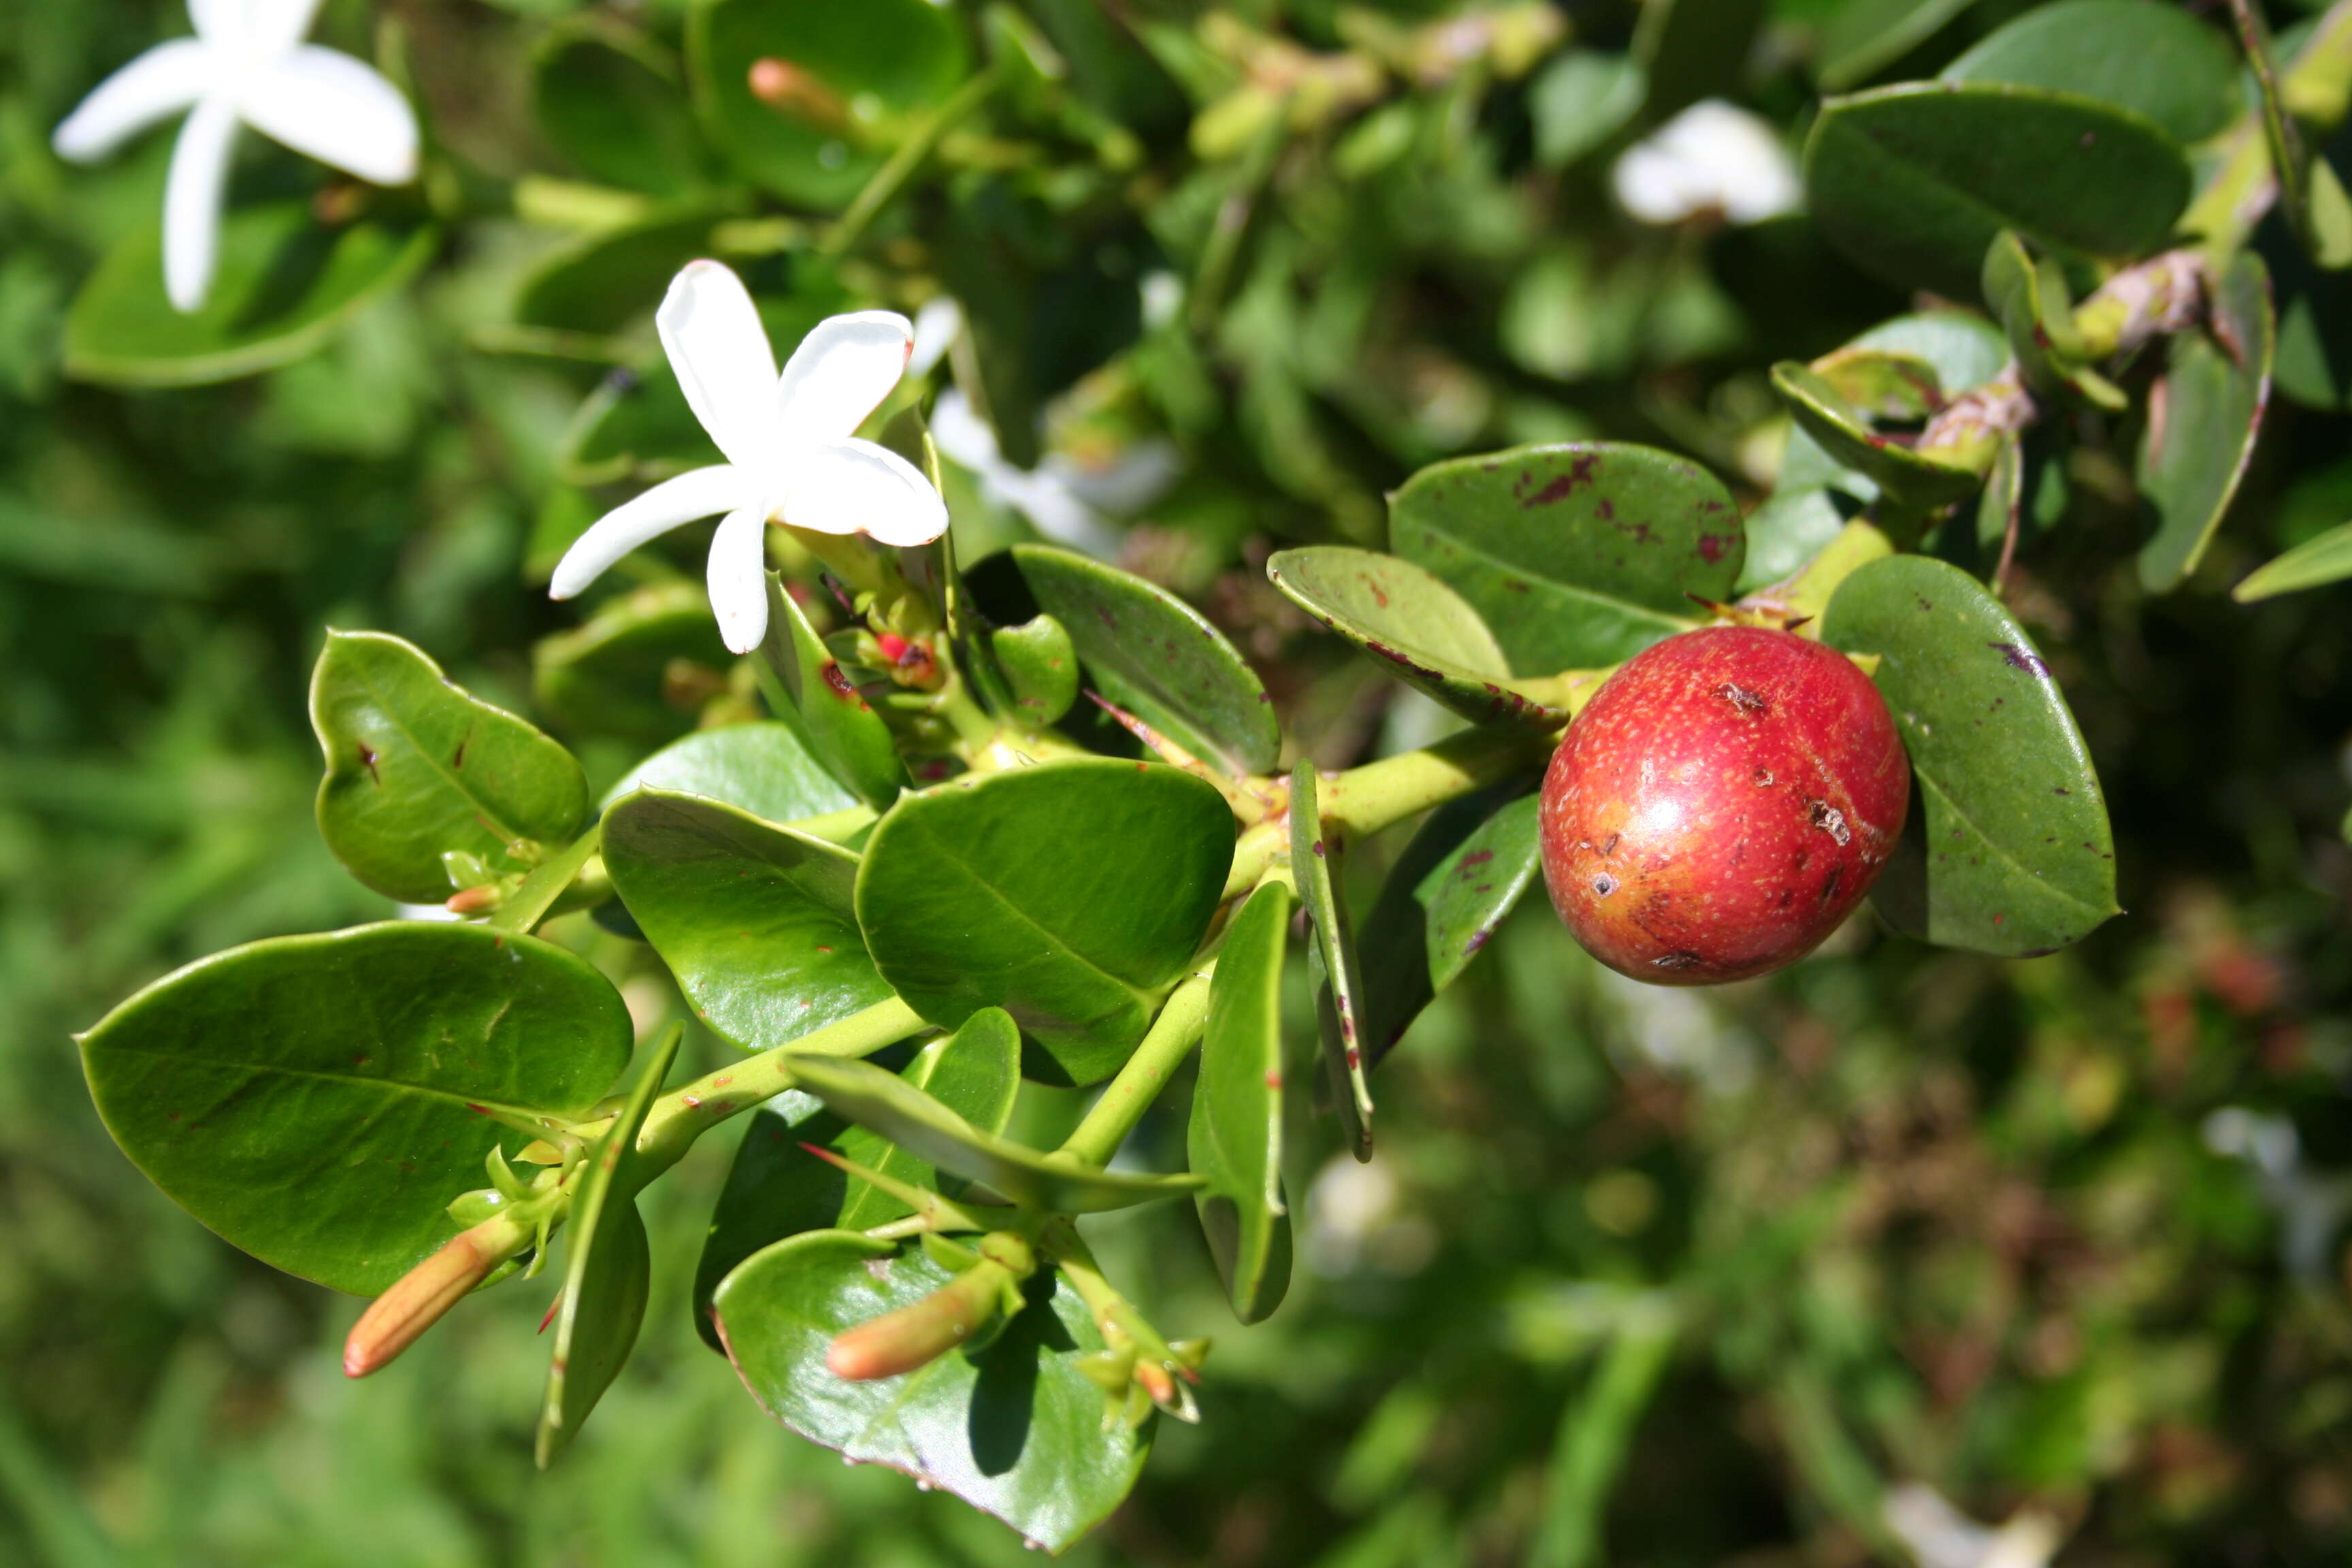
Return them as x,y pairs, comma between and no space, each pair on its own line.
867,69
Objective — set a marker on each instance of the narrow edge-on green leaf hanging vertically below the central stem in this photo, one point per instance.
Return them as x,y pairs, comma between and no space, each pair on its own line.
1236,1134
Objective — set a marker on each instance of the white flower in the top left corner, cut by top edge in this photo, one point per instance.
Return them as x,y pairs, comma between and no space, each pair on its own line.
246,65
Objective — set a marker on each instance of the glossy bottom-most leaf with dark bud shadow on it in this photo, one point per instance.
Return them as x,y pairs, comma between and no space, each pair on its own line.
1015,1428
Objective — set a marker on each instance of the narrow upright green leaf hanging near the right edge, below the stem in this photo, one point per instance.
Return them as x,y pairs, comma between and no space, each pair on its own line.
2203,422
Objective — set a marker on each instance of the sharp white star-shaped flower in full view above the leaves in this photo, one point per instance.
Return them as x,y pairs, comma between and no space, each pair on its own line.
789,445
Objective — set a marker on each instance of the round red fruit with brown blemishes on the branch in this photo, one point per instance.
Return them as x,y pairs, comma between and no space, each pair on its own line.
1720,805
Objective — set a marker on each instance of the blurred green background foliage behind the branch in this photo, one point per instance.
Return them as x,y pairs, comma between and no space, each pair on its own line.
1897,1257
